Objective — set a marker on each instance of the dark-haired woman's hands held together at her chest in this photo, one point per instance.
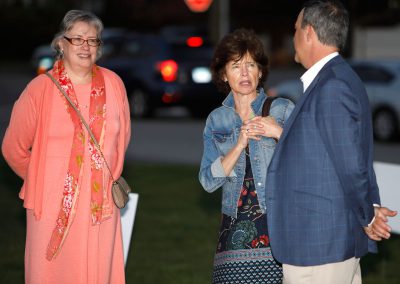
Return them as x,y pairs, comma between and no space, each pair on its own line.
262,126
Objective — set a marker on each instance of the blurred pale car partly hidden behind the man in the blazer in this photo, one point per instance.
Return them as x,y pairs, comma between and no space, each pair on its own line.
382,82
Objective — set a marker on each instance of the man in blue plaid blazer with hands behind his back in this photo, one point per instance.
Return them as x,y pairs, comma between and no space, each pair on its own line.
321,188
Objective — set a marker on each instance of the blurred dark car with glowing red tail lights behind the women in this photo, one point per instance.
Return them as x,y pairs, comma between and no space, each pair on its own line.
163,70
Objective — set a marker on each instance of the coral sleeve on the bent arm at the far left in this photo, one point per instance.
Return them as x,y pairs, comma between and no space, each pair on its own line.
19,136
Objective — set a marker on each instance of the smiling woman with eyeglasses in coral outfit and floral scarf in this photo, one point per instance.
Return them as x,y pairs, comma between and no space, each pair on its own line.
73,226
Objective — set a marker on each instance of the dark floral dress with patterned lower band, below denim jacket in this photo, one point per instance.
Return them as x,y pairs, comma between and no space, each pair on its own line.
243,253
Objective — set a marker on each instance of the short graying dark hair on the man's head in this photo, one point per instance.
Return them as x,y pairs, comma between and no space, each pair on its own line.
330,20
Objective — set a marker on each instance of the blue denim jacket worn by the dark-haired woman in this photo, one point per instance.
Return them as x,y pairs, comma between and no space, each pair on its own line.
221,134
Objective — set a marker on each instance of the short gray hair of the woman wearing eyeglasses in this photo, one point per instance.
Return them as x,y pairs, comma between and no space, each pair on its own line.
72,17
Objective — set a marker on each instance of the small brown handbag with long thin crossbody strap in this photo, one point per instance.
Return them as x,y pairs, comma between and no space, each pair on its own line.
120,189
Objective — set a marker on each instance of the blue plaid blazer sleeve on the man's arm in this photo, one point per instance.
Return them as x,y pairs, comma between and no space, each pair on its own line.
340,123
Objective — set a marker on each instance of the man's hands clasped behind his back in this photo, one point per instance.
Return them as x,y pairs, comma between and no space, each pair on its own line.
379,229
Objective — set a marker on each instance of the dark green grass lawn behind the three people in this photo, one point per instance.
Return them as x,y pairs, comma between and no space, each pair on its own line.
175,230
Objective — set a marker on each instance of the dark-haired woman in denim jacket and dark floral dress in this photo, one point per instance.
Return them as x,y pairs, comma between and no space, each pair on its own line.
238,146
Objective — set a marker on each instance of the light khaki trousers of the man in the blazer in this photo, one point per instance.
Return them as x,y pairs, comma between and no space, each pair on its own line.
345,272
